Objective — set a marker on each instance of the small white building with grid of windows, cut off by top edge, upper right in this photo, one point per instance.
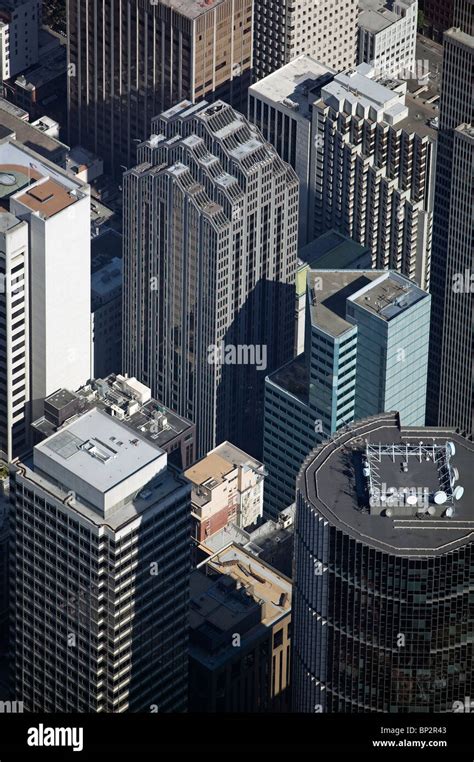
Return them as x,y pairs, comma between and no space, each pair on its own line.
387,35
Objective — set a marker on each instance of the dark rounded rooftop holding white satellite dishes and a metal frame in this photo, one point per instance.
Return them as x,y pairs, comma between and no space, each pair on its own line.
416,465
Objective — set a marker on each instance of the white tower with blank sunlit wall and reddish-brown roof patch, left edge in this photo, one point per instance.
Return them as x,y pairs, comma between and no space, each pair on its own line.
45,279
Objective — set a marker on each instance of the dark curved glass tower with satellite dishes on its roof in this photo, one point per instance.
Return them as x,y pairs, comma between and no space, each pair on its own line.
384,564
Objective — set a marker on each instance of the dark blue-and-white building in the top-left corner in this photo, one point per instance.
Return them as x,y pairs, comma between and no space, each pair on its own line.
19,30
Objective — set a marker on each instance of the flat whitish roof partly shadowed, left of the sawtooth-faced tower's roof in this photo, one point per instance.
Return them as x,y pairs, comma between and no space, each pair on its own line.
295,85
